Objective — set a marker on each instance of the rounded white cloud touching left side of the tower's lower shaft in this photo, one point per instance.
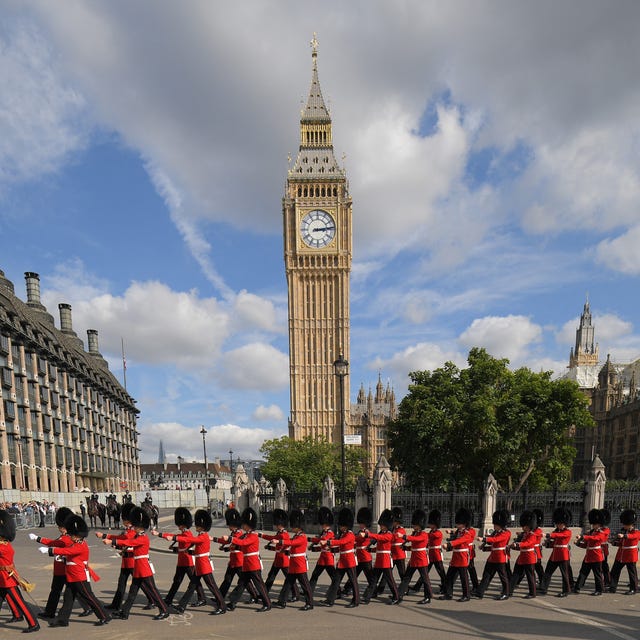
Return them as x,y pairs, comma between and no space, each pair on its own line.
254,366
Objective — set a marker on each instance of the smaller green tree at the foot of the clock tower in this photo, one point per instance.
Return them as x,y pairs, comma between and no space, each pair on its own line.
308,461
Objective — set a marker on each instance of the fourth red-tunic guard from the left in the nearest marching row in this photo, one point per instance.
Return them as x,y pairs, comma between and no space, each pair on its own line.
200,549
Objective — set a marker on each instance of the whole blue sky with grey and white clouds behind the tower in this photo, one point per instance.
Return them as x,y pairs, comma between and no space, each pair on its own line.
492,150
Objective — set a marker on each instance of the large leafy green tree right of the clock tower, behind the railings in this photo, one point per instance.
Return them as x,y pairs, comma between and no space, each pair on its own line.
458,425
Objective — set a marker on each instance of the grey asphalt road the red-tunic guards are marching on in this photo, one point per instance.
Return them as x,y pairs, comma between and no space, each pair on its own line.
579,617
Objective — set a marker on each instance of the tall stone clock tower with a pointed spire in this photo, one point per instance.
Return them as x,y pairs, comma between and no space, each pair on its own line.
317,252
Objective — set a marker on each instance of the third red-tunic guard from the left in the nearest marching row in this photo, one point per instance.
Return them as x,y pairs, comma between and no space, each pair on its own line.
142,569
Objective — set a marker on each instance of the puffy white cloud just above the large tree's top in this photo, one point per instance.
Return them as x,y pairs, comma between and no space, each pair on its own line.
503,337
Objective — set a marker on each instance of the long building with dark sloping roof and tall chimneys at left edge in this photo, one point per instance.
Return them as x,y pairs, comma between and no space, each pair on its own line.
66,423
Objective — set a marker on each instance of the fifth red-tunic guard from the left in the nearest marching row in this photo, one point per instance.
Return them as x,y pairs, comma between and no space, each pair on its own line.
249,543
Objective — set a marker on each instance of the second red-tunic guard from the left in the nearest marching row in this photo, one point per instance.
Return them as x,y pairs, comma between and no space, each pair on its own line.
77,573
